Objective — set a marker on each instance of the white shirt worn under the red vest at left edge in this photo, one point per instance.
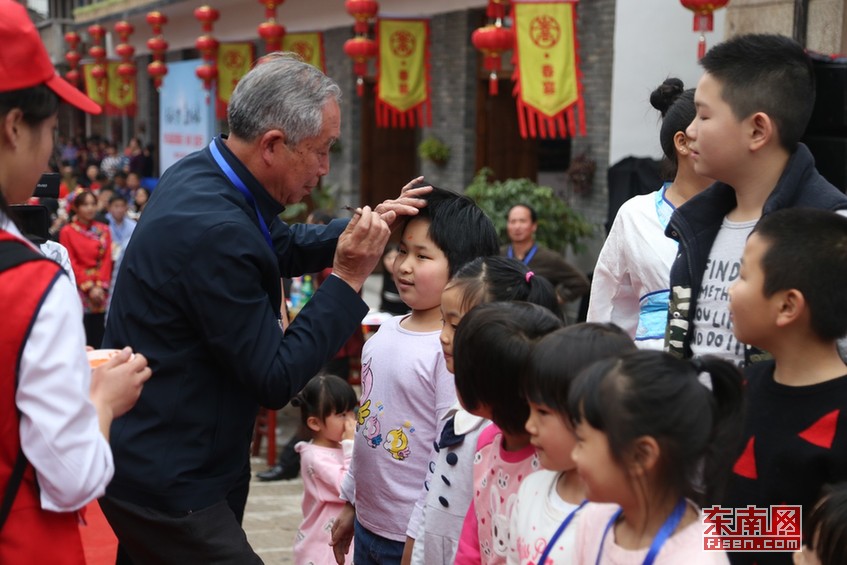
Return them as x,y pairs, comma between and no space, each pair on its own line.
60,432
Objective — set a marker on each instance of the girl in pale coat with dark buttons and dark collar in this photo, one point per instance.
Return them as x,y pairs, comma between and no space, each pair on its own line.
446,495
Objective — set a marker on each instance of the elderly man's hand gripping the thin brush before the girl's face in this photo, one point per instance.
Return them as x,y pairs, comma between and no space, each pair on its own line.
360,247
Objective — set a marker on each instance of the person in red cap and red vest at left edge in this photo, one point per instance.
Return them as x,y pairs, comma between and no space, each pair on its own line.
55,413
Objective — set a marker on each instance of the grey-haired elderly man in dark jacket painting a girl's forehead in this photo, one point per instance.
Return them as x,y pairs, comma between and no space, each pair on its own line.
199,295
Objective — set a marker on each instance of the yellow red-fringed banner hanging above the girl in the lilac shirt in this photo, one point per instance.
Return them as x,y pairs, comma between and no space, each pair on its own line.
403,83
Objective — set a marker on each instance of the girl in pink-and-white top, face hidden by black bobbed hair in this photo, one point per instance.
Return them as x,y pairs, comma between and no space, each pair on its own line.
492,347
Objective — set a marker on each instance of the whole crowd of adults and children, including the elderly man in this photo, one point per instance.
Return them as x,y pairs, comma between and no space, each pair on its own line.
488,429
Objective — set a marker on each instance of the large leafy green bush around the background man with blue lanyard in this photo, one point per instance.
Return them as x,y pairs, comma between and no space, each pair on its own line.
559,225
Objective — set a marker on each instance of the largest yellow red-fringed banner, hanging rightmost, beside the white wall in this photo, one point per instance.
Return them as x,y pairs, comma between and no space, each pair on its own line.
547,77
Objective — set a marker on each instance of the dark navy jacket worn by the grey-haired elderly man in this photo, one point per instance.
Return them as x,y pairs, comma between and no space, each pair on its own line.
198,293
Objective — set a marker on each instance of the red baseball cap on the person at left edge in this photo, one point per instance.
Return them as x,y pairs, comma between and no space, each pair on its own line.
24,62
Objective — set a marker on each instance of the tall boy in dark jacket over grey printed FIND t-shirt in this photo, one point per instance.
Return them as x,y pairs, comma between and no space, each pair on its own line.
753,103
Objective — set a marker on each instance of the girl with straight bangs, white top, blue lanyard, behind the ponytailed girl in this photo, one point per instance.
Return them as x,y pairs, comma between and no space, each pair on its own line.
544,521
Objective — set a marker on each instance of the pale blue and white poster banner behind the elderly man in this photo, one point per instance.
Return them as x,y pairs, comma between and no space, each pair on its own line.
186,113
